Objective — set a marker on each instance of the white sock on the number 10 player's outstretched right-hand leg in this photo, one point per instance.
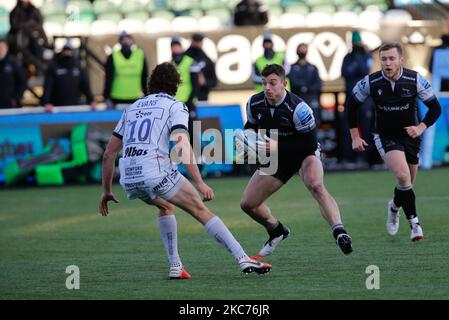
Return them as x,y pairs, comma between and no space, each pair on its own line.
217,230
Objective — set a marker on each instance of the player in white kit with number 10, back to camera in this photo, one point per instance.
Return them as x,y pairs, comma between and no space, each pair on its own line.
147,172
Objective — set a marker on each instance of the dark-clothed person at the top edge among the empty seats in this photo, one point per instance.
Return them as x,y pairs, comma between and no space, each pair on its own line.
250,13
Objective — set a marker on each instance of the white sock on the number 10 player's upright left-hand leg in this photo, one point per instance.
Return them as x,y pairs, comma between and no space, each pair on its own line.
169,235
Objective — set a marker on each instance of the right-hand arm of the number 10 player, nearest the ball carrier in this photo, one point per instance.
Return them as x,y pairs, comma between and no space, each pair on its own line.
187,157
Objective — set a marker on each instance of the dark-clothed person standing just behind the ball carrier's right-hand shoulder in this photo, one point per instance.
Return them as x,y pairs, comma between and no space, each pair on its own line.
305,81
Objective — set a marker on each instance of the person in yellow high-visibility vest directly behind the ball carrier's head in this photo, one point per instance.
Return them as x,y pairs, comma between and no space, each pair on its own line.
269,57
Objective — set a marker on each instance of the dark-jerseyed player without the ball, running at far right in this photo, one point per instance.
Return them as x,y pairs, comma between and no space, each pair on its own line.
398,130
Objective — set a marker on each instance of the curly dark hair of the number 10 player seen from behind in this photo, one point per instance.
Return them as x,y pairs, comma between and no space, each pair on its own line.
164,78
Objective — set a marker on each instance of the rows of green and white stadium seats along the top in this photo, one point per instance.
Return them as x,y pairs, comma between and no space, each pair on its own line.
135,14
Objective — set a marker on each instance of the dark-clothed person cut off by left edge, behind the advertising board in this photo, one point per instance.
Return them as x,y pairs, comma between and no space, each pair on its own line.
12,79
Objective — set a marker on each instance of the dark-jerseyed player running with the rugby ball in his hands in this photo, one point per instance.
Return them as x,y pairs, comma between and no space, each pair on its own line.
289,123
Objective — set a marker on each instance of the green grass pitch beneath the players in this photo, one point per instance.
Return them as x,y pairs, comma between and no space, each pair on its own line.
44,230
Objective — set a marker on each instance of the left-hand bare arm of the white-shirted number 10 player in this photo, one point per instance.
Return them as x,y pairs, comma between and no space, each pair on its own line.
107,172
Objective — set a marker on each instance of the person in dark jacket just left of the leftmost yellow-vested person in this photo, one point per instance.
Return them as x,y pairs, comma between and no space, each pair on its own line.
65,82
